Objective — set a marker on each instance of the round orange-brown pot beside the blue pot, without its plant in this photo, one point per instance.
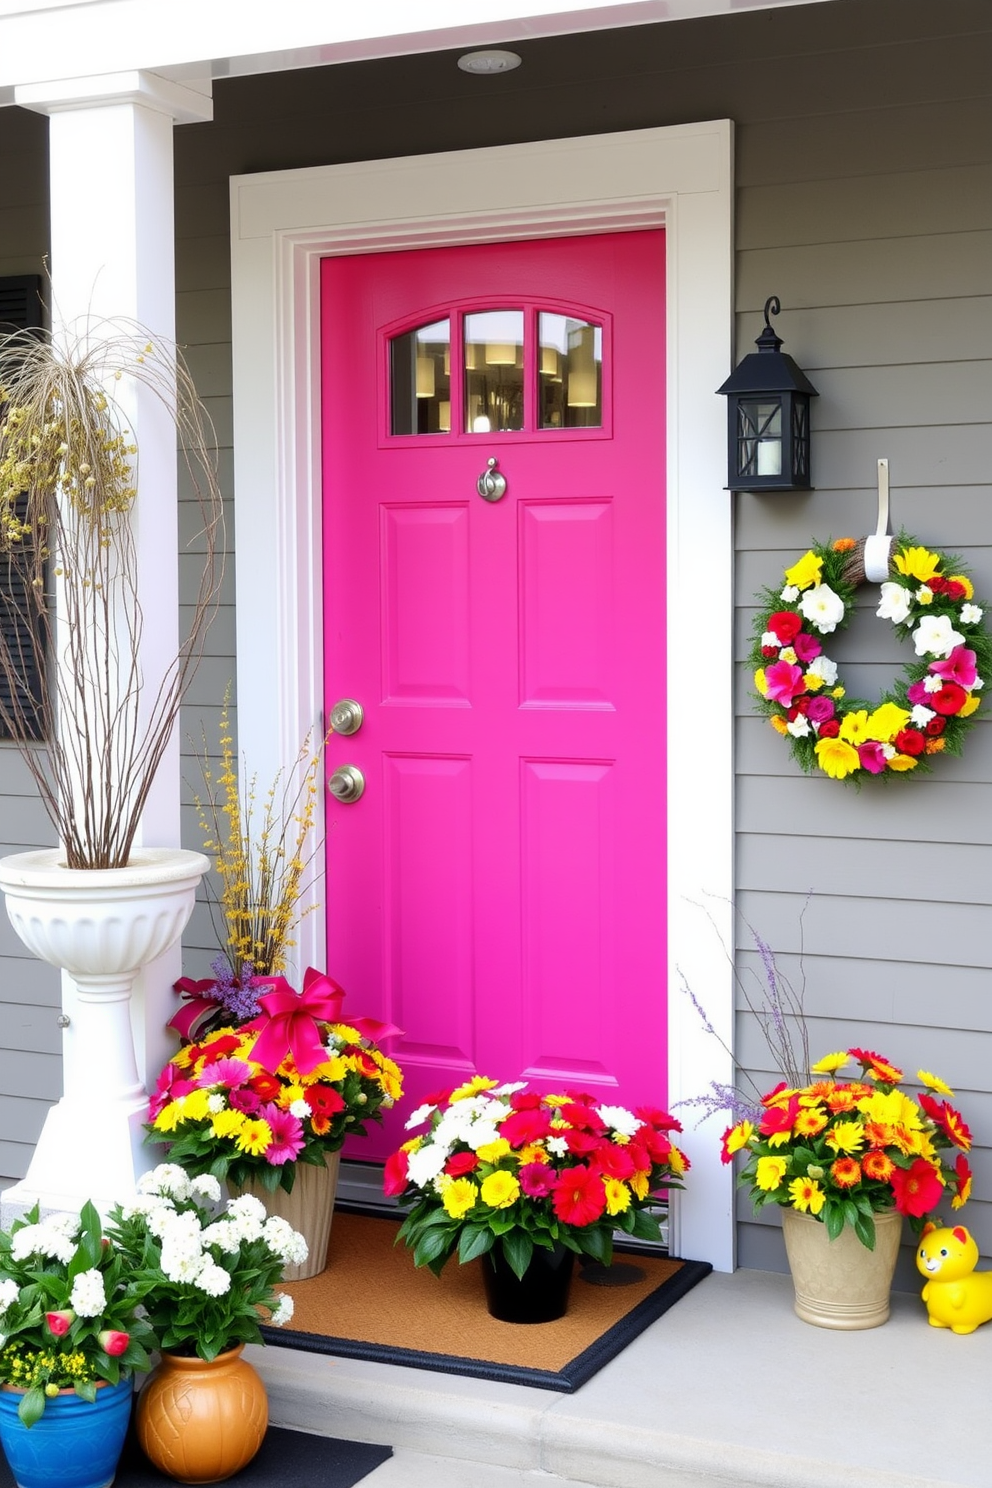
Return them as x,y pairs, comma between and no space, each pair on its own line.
203,1420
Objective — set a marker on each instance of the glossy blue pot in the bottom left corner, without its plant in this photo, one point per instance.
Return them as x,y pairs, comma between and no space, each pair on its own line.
74,1446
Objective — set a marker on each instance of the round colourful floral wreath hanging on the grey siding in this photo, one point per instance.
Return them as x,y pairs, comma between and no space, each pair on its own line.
929,711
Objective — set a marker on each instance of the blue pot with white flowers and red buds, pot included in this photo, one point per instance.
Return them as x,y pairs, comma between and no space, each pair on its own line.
72,1337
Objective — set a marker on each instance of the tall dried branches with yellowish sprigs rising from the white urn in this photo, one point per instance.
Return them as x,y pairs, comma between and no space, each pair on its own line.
91,728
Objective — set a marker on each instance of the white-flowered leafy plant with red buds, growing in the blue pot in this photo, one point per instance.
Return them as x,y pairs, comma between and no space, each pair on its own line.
71,1310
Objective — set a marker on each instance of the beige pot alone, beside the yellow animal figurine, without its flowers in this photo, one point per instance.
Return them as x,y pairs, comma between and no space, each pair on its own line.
841,1283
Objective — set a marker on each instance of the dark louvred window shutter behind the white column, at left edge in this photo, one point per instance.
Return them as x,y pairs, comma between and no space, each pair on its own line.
22,310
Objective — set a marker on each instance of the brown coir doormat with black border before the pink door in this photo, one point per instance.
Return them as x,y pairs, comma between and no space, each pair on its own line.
373,1303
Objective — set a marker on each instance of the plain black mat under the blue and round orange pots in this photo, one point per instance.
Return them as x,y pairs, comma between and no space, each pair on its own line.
285,1460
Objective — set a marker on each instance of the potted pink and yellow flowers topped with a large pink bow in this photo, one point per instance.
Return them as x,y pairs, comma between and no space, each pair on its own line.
268,1106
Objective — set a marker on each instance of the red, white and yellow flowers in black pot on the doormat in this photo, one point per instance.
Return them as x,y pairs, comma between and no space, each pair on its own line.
529,1181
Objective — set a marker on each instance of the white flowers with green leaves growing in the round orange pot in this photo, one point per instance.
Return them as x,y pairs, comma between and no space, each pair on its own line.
207,1273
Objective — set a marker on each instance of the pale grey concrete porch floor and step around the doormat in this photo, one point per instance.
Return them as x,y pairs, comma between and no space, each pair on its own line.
727,1389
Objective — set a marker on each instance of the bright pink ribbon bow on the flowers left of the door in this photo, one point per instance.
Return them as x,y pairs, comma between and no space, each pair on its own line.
291,1022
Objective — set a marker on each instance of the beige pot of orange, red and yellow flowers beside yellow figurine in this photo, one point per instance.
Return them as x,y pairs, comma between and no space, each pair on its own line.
847,1161
